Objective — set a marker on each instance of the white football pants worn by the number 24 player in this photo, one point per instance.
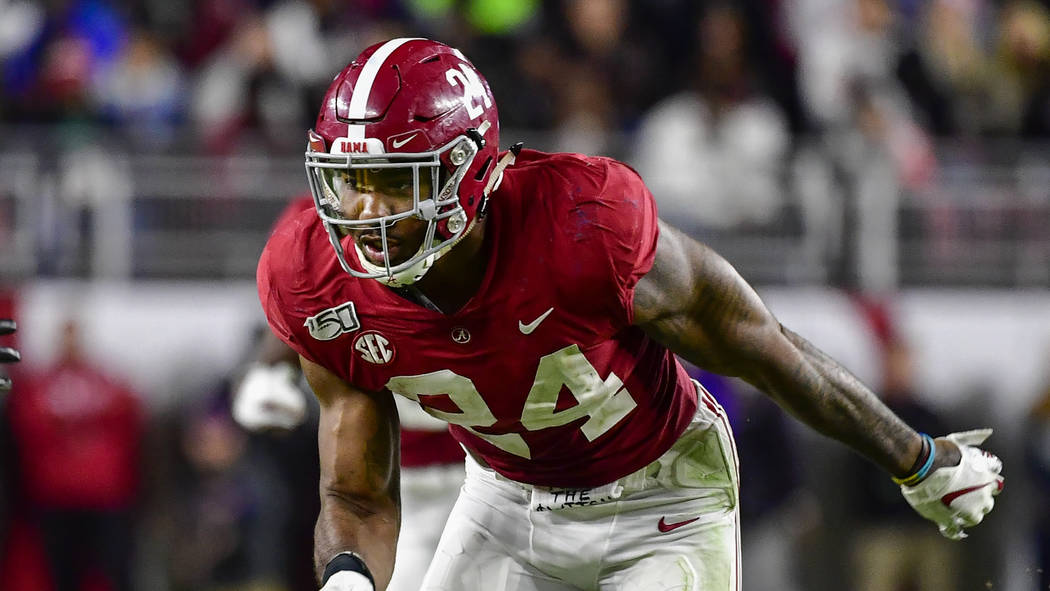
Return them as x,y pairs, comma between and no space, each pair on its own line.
673,526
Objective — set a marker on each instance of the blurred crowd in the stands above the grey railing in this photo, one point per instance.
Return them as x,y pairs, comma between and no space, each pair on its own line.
582,68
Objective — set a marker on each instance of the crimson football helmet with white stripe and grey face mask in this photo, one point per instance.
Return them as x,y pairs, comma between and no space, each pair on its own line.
408,118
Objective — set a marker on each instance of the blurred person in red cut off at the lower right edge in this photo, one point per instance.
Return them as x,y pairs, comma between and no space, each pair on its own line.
1038,454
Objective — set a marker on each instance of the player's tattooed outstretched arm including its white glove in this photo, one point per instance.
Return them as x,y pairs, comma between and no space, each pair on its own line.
694,302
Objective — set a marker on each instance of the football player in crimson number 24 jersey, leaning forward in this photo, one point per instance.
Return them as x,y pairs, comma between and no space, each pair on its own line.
536,302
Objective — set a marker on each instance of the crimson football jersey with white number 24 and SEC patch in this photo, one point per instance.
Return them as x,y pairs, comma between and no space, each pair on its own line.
541,374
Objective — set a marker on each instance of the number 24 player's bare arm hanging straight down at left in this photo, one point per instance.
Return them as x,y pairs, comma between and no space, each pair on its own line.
359,444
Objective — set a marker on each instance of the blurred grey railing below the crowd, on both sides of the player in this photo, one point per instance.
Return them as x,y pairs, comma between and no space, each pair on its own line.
100,212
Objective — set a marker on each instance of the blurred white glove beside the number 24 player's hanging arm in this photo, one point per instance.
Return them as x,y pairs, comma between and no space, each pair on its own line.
268,398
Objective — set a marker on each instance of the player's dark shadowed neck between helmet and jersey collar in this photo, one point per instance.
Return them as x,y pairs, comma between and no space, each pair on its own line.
457,277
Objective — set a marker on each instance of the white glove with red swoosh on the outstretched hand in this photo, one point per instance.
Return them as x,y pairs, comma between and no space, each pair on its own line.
959,497
